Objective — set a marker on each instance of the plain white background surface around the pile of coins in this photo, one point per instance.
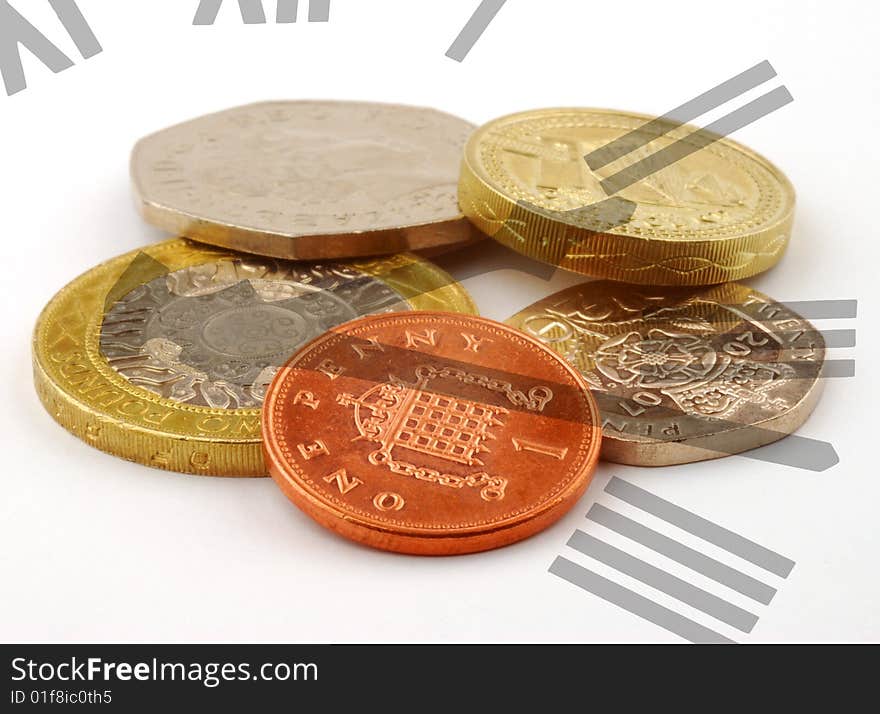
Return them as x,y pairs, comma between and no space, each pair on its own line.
96,549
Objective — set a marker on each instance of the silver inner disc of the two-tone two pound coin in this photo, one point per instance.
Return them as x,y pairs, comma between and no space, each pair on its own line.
215,334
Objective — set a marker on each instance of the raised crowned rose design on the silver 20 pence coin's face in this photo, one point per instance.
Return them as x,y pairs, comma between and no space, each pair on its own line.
691,371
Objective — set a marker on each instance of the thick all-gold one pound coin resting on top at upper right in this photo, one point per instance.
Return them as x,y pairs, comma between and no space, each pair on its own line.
721,213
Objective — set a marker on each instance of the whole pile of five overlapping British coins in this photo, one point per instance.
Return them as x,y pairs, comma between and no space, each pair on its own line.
298,329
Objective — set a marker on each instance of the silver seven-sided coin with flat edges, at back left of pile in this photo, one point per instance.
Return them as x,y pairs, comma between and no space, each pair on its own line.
308,179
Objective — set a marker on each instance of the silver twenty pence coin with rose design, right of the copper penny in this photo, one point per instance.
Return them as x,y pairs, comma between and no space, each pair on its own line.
673,365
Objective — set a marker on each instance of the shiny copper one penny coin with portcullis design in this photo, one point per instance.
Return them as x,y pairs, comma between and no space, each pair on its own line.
430,433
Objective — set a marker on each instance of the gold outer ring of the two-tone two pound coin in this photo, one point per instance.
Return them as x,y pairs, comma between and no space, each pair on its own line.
93,401
